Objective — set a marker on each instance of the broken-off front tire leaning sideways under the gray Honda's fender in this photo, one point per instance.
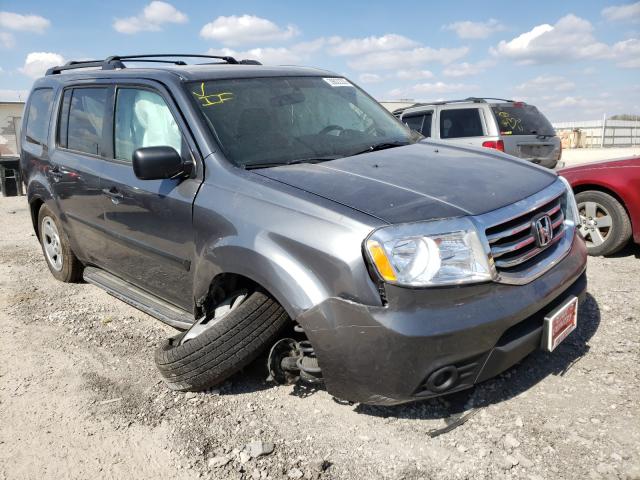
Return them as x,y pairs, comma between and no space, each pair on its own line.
224,348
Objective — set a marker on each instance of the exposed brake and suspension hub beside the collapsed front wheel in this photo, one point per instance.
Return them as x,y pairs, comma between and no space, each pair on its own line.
291,361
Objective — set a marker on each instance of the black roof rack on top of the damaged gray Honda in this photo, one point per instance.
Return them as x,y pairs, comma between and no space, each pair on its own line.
117,61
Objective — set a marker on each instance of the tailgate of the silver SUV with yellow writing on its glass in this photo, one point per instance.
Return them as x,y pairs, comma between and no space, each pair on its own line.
526,132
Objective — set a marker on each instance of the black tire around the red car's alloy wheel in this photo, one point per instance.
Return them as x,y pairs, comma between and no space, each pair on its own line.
621,225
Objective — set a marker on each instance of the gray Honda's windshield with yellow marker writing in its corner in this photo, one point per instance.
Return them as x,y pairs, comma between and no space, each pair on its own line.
280,120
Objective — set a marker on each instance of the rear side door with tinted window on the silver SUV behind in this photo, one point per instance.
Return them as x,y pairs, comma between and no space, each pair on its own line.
462,125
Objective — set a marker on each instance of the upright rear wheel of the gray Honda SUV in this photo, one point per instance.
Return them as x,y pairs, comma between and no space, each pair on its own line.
62,262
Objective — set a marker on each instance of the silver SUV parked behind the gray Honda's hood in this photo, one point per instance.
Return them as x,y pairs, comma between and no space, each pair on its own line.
516,128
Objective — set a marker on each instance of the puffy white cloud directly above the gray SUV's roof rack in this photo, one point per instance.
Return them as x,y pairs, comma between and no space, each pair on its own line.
246,29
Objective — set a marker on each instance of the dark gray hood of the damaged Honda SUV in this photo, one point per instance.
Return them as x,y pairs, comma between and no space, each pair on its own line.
416,182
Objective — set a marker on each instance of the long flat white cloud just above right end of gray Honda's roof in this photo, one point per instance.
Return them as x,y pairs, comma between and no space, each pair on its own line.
397,59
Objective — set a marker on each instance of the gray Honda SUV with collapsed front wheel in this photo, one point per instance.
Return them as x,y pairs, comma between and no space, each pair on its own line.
282,209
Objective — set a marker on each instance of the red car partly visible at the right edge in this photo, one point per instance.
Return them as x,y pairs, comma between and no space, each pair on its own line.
608,197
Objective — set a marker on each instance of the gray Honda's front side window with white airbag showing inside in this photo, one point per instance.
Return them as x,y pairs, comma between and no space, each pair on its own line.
143,119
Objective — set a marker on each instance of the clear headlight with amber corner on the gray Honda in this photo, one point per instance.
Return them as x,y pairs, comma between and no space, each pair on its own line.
442,252
